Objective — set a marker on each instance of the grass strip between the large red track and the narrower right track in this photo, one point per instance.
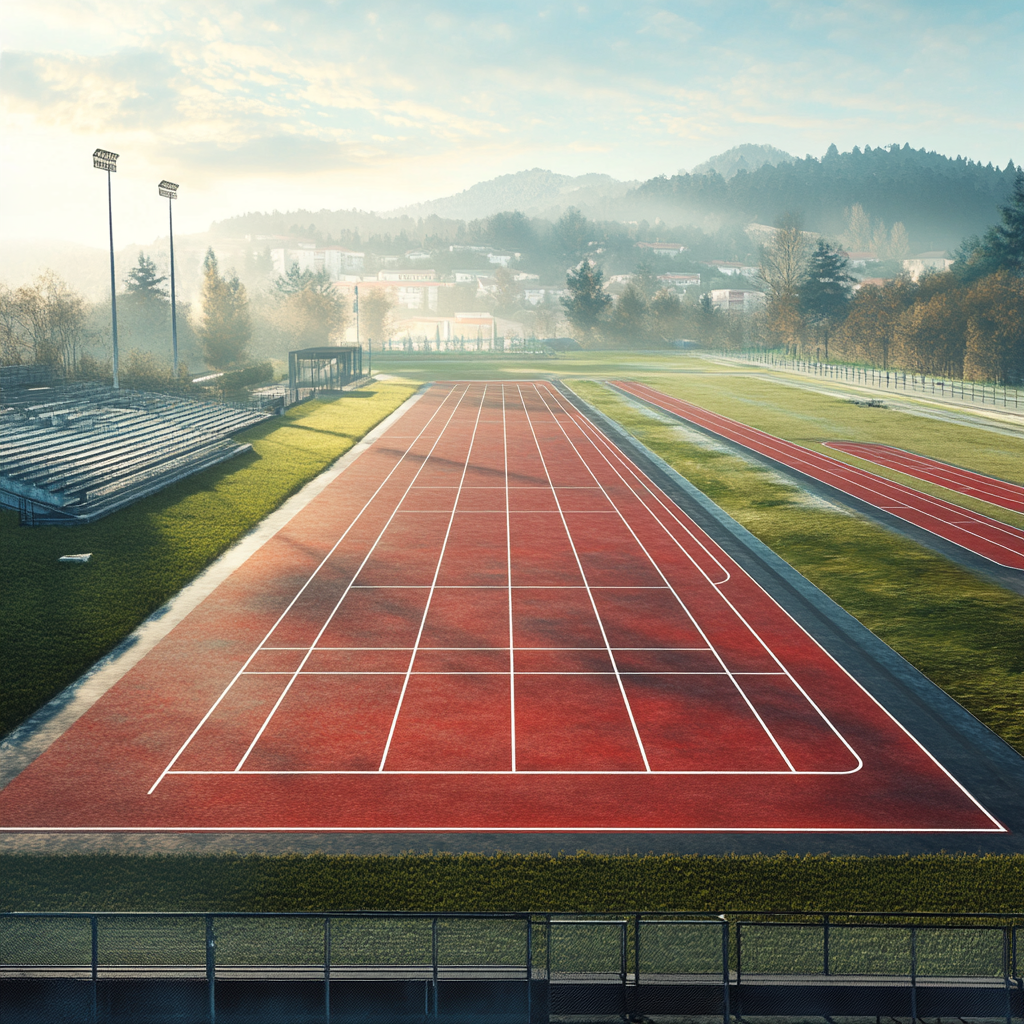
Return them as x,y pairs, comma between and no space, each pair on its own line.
964,633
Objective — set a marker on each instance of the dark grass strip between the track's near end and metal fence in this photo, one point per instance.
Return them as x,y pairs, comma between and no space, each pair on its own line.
582,883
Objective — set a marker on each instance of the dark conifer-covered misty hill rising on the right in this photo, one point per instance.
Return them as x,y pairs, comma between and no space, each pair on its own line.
941,200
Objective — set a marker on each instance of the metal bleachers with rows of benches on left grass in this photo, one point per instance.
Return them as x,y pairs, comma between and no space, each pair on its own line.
72,453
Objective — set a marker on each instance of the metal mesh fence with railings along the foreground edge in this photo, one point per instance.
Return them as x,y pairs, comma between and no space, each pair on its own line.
280,968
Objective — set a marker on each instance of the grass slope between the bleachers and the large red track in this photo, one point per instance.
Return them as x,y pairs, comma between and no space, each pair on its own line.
58,620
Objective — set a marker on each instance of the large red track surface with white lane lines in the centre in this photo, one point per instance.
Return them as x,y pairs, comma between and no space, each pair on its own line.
491,621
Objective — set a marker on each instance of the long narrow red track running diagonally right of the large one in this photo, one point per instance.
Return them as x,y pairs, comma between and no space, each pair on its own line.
989,538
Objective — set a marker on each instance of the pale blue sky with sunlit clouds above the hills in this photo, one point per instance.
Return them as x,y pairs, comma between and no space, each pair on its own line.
331,104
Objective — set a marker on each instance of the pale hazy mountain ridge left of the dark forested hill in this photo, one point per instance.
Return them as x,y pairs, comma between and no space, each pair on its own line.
536,193
